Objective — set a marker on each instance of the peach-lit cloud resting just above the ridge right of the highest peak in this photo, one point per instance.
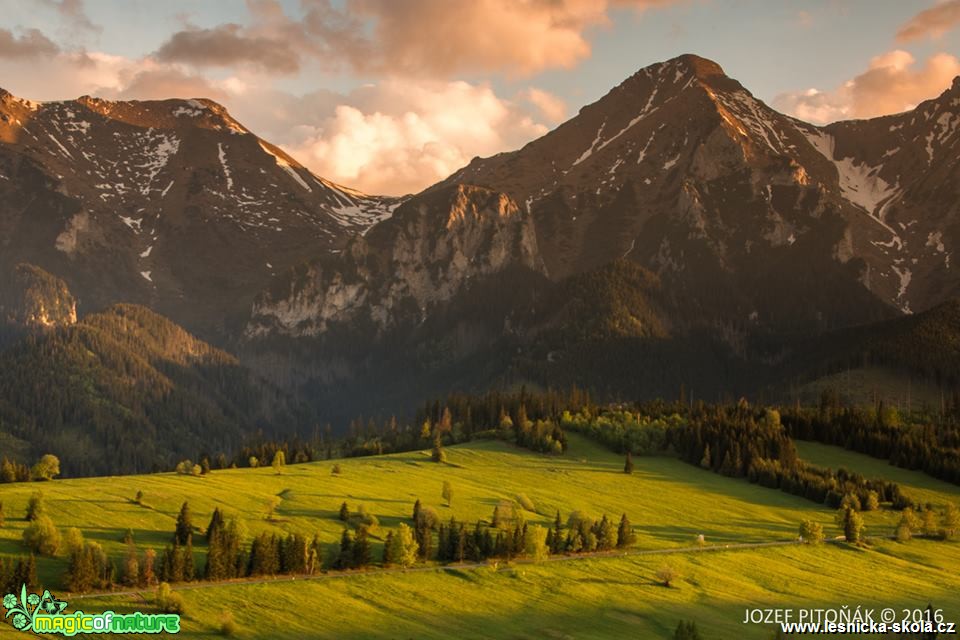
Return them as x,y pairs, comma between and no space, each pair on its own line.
892,83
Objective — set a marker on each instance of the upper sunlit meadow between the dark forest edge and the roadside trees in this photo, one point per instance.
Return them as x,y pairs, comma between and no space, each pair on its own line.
668,501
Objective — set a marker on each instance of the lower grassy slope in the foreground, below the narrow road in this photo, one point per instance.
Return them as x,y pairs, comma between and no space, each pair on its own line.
599,598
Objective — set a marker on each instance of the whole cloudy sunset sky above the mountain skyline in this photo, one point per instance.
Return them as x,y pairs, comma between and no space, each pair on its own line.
389,96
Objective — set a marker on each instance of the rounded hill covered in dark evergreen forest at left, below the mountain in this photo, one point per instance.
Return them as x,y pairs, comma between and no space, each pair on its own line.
127,391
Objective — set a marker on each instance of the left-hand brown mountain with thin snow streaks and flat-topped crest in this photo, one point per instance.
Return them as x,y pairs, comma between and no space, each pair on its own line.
171,203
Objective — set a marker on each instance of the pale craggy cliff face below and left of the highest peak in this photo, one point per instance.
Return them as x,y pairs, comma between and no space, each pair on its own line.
431,250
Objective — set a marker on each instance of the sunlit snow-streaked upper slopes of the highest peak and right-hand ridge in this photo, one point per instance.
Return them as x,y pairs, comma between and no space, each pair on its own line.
681,152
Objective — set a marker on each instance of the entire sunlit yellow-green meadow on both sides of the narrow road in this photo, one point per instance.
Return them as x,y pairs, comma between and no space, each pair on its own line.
669,503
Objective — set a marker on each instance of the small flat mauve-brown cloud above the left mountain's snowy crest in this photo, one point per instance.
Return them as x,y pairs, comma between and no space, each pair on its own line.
227,45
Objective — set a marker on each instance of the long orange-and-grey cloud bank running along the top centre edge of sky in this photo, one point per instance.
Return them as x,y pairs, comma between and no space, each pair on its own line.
412,37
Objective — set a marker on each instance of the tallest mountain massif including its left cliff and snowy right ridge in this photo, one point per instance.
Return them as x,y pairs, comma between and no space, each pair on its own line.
750,230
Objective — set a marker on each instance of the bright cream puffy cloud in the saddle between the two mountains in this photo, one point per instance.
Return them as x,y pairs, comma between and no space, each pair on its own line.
398,137
